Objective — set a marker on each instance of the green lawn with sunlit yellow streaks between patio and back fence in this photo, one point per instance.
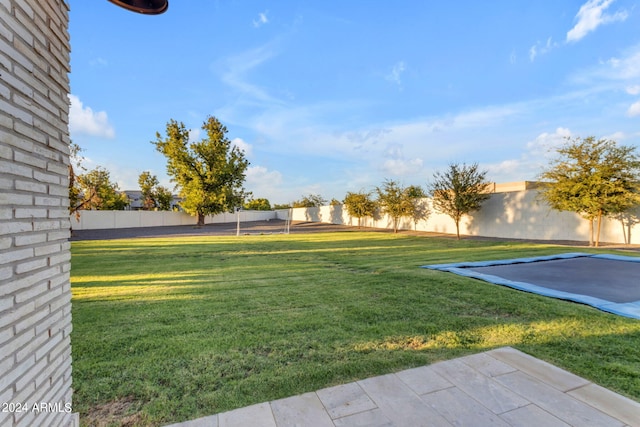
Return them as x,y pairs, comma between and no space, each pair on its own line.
170,329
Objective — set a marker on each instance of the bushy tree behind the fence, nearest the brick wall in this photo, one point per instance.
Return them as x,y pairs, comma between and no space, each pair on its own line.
96,191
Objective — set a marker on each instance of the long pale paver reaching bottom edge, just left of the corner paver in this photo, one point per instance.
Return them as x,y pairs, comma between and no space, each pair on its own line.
565,407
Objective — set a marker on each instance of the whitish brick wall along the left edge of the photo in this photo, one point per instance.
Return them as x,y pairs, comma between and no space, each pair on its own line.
35,294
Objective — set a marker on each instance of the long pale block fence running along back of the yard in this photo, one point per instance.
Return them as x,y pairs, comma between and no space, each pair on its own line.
514,210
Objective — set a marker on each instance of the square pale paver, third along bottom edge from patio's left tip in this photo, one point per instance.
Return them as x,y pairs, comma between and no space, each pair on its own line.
305,410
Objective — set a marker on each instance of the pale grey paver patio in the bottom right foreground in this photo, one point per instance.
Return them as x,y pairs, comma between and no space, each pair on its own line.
502,387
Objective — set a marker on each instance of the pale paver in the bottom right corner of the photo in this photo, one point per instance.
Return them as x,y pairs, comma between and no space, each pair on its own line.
626,410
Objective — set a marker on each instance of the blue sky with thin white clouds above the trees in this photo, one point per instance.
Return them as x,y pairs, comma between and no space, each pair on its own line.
333,96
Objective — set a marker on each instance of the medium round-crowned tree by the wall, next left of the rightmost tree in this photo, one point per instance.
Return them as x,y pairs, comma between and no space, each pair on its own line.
459,191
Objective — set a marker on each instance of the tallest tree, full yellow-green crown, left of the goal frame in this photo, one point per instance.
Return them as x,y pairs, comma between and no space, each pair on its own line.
209,173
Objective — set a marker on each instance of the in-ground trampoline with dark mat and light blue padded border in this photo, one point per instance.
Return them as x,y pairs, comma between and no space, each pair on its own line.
608,282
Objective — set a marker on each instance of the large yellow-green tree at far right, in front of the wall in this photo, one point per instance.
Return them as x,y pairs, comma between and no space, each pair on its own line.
594,179
